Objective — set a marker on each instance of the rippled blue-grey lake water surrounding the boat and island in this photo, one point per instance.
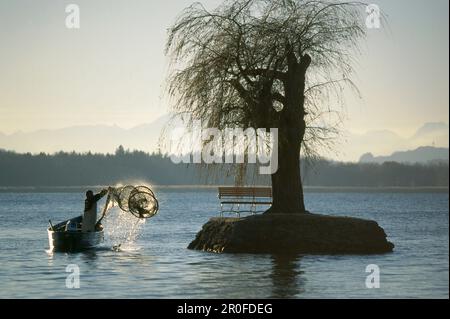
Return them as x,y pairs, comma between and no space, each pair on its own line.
157,264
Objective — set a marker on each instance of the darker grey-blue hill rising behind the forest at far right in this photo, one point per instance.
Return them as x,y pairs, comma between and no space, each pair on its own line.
420,155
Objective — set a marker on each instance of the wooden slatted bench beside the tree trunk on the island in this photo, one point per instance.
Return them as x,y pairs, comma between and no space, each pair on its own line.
246,196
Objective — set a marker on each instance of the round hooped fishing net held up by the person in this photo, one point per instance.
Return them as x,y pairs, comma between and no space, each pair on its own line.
140,201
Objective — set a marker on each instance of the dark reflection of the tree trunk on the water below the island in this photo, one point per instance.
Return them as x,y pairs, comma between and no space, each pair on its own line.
286,276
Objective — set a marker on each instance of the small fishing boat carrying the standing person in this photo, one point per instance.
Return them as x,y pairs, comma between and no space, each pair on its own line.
68,237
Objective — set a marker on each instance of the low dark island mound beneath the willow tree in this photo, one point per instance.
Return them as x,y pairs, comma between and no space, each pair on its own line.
292,233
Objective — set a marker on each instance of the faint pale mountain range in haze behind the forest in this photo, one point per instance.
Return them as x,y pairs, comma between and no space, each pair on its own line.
146,137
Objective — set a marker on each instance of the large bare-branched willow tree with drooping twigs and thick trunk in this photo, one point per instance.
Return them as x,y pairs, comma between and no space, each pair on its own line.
266,64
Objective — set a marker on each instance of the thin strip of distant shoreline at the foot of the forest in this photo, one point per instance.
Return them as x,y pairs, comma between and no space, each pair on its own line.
312,189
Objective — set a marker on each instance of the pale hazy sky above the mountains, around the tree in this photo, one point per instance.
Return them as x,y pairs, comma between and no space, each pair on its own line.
112,70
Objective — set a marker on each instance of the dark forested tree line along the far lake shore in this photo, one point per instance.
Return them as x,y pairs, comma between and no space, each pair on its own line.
74,169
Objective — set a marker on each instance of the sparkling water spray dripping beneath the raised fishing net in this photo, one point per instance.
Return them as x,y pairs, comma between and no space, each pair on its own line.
122,230
